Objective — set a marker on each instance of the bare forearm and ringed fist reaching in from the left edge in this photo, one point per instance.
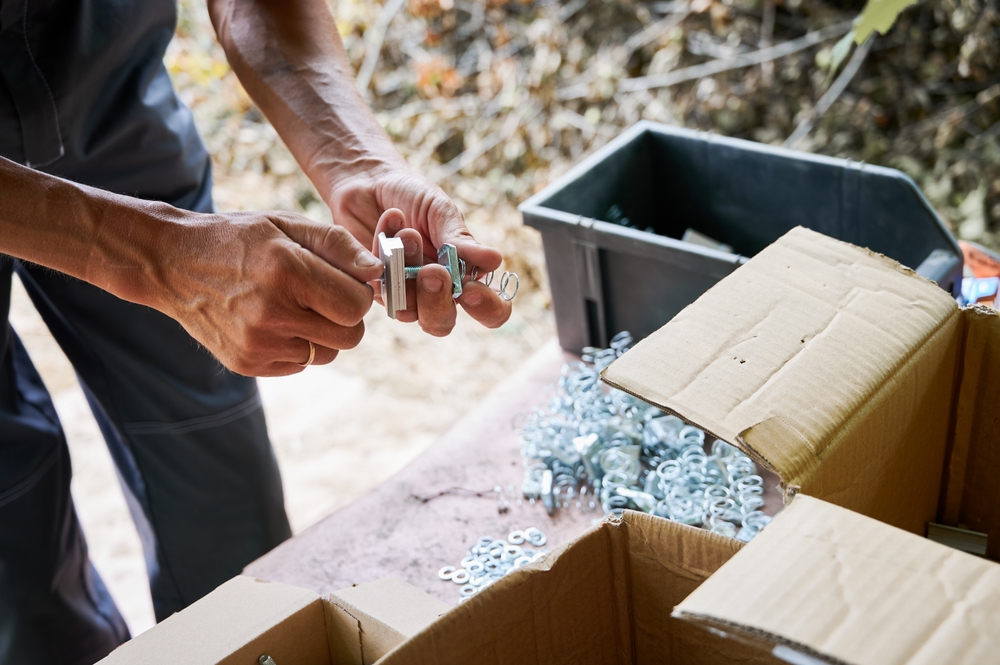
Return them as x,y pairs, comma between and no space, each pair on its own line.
251,287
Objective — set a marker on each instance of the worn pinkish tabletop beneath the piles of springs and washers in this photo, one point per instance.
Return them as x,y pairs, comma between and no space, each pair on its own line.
428,515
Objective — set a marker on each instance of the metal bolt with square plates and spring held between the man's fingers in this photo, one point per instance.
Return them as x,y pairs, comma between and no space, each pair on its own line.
397,272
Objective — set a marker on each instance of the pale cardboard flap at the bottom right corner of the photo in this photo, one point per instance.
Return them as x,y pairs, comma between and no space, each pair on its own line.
824,584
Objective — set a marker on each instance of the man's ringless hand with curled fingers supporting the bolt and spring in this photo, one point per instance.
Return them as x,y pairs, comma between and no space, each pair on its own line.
424,218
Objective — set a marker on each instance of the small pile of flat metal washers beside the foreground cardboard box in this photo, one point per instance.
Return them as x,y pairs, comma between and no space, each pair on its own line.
489,559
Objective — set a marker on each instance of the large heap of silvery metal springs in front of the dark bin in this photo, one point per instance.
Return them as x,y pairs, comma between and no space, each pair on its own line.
597,446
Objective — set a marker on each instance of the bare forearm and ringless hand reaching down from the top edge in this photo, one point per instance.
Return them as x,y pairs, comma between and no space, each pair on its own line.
289,57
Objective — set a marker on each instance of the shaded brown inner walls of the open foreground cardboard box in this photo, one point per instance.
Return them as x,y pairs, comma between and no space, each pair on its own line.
604,598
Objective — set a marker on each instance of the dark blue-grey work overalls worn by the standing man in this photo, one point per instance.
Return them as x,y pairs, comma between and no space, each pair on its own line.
84,95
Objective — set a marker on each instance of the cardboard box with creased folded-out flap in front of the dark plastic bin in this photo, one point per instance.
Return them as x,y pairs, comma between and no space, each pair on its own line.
853,378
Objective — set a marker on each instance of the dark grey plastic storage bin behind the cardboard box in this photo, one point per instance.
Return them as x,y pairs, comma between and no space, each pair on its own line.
606,277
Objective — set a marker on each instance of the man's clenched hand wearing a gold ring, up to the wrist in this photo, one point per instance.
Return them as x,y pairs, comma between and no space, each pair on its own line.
256,288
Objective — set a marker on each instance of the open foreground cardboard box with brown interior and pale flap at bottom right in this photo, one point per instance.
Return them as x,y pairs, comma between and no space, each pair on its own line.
821,584
